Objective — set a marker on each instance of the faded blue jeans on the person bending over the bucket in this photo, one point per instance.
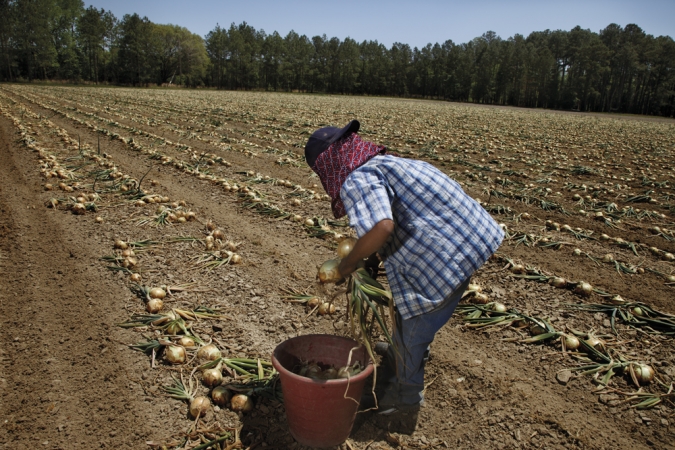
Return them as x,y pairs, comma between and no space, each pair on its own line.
402,371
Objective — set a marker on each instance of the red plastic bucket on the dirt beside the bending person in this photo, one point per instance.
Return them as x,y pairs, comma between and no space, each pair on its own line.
318,413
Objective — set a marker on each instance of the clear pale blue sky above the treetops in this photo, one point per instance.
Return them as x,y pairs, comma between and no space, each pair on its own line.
412,22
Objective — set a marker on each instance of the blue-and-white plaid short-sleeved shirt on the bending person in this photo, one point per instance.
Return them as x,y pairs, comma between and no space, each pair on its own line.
441,235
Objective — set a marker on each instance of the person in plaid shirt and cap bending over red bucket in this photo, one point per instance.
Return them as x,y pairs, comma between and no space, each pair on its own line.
429,233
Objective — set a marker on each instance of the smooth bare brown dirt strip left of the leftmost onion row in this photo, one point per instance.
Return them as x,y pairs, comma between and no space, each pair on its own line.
63,377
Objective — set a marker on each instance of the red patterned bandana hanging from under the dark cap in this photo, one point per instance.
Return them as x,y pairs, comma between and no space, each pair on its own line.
340,159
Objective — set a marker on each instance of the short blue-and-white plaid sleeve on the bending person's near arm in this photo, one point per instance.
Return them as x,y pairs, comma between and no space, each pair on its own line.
367,199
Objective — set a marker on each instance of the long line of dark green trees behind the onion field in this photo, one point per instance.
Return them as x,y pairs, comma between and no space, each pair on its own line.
618,69
